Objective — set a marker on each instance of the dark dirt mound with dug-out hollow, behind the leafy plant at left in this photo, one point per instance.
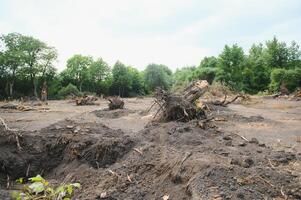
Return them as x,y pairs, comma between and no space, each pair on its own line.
42,151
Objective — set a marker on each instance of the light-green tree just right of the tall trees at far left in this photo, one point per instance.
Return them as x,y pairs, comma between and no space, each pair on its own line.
77,69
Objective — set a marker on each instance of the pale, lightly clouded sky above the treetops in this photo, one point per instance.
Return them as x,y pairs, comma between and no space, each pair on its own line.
175,33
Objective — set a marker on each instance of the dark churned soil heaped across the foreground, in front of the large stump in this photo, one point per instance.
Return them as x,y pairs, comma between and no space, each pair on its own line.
179,160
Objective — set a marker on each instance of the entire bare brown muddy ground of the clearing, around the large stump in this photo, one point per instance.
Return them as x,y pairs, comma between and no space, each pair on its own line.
121,154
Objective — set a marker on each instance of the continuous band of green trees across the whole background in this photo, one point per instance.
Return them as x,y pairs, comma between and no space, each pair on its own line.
28,64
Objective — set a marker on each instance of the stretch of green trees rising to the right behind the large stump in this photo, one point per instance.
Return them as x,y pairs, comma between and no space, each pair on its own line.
265,68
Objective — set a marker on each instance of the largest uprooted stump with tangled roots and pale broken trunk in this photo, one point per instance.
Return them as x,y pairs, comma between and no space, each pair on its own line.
181,107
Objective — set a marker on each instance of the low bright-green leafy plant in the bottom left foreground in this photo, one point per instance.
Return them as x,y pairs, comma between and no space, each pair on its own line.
40,189
